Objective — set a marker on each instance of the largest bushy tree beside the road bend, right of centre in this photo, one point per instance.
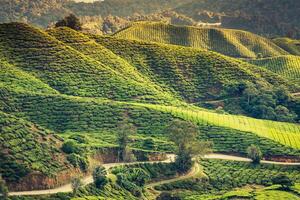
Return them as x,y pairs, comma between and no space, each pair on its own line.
184,135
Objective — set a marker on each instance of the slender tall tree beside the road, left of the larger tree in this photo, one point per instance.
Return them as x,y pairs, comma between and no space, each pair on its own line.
125,129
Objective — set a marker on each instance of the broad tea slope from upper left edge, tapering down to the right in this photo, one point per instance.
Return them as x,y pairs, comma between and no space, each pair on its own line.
67,70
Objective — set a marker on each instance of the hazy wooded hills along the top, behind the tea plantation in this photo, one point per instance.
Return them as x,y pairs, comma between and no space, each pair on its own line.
270,18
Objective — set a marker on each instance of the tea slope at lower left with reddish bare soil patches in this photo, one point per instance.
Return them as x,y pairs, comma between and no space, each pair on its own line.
26,148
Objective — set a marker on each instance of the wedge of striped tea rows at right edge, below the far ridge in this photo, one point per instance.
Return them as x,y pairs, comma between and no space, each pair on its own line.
285,66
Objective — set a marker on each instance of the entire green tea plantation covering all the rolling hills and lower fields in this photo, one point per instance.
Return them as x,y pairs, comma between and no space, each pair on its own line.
61,86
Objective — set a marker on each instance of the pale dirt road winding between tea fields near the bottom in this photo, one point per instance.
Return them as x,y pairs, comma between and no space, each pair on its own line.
170,158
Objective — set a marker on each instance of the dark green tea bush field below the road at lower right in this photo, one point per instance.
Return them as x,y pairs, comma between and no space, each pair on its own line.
230,174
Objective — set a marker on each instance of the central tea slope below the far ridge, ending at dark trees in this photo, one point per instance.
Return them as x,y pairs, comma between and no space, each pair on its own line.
192,73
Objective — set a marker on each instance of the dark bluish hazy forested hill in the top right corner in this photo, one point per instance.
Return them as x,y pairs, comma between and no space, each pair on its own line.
266,17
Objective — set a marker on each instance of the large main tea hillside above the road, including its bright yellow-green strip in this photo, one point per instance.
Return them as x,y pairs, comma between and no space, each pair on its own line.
65,84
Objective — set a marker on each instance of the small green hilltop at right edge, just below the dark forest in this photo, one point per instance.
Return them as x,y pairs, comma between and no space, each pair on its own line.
290,45
